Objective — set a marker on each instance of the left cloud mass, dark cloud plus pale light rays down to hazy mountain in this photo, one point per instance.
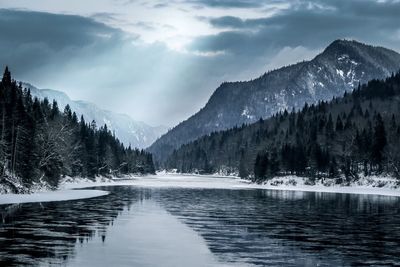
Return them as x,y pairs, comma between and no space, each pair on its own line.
92,61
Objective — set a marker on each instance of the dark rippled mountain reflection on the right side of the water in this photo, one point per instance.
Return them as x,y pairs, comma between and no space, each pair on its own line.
292,228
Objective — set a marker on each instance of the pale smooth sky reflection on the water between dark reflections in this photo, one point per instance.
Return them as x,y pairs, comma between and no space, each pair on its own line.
148,236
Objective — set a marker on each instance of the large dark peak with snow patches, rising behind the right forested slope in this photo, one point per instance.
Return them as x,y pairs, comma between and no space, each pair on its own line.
339,68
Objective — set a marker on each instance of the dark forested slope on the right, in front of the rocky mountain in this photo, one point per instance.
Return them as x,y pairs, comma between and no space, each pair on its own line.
358,133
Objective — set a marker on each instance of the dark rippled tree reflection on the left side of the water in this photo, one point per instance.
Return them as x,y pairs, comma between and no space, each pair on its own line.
48,232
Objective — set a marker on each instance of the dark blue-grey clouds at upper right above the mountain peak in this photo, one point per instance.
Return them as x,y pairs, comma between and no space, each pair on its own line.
307,24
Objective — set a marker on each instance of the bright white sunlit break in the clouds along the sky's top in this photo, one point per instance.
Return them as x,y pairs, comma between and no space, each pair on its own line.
175,23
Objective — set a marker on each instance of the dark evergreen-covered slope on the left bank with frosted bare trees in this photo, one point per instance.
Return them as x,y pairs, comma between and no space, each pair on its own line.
40,144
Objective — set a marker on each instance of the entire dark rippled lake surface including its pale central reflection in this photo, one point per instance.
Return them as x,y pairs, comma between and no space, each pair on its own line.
169,226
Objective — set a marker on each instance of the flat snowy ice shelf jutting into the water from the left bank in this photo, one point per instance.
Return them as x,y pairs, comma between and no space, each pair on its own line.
59,195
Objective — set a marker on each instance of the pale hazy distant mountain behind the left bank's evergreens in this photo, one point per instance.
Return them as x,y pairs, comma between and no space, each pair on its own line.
137,134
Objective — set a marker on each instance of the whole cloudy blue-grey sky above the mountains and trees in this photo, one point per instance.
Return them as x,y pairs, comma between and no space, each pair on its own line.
160,61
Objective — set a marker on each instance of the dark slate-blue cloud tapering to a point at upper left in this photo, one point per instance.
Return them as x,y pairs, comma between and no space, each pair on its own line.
31,40
